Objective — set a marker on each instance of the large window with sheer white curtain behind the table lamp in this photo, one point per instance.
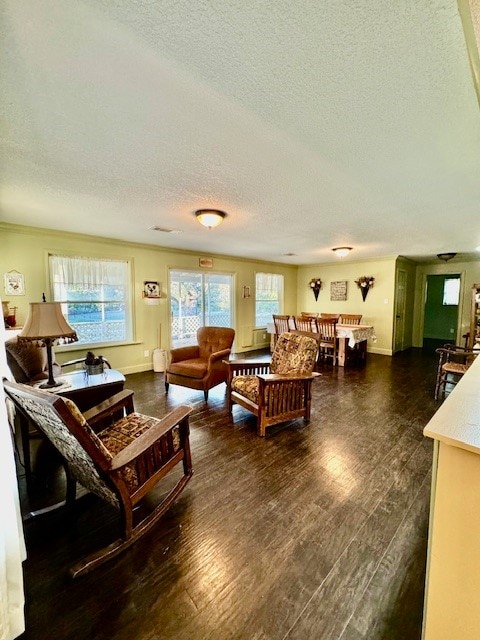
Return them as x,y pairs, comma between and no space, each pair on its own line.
95,297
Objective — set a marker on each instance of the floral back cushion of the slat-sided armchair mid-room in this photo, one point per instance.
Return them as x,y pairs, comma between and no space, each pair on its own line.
294,353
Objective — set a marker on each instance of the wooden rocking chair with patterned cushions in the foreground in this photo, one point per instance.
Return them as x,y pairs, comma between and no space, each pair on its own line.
115,453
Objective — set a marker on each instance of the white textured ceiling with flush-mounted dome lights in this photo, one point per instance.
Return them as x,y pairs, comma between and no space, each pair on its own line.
312,125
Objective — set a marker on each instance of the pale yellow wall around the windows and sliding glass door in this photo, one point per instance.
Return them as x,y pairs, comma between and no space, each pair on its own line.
25,250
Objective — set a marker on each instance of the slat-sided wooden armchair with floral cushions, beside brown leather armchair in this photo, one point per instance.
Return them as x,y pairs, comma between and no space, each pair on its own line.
279,390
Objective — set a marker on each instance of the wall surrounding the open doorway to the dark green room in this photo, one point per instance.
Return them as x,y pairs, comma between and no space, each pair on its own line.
470,274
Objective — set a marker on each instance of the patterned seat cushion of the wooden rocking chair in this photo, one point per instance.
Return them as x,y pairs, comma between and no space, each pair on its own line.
117,436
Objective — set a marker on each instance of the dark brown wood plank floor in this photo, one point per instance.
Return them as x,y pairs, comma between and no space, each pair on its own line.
315,532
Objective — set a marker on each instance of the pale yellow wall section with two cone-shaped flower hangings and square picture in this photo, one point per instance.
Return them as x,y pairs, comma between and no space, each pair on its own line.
377,309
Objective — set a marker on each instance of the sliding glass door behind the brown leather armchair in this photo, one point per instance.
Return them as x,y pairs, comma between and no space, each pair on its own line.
198,299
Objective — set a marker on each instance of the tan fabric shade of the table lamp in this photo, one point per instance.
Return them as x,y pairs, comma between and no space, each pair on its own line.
46,320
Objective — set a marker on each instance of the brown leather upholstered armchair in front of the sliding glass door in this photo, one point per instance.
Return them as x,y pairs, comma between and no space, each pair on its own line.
201,366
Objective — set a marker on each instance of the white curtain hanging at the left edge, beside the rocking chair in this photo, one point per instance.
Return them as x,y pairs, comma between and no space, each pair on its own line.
12,545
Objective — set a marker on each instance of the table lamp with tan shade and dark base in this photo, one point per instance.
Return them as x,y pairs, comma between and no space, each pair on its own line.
46,323
